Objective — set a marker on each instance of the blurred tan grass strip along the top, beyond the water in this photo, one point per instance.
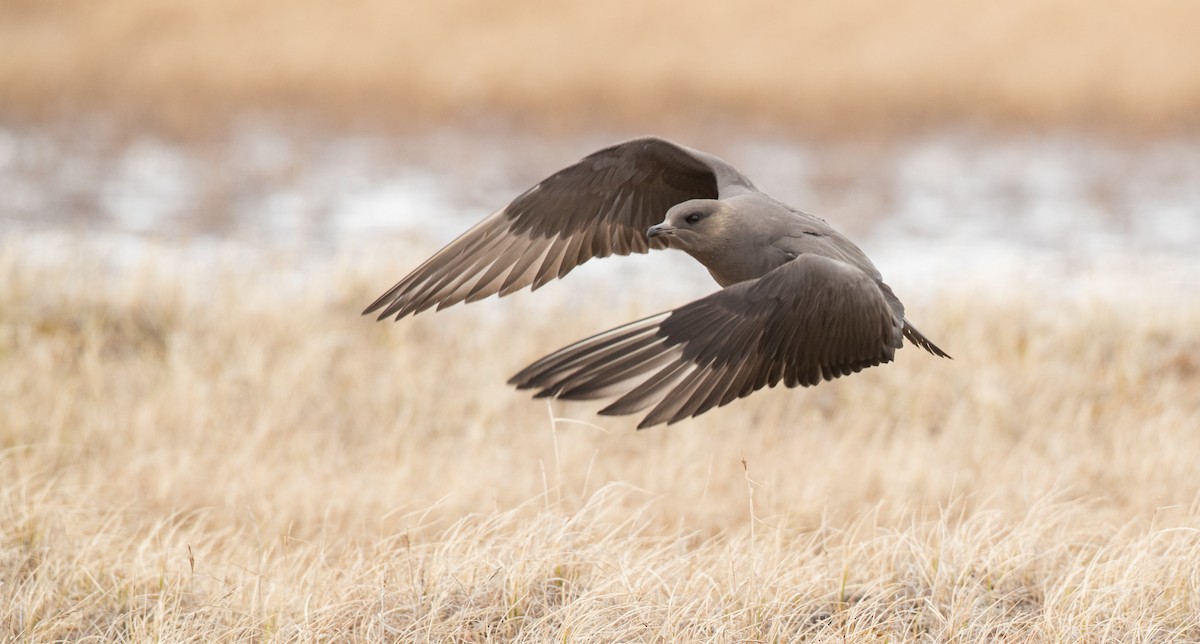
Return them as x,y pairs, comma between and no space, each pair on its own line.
843,67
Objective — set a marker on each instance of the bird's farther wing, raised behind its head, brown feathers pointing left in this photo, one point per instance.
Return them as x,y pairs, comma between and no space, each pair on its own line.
596,208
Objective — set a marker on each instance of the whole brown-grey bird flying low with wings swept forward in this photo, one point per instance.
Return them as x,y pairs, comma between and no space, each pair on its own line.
800,303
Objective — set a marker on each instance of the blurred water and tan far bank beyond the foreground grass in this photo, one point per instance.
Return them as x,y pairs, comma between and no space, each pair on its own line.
1039,136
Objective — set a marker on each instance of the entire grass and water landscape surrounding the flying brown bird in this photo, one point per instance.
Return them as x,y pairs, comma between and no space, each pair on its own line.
202,440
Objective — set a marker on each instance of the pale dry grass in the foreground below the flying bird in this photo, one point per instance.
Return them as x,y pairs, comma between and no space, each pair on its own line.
229,453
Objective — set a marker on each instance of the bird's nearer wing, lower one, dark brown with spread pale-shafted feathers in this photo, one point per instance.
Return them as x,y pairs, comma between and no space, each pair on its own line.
811,320
